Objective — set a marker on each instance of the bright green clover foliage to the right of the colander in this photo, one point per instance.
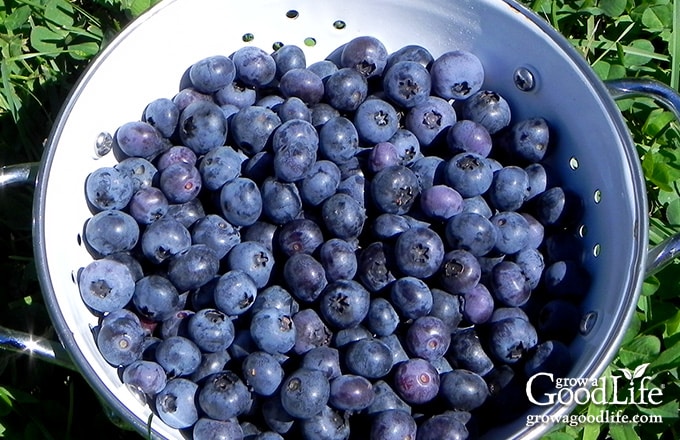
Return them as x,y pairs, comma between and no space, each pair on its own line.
638,38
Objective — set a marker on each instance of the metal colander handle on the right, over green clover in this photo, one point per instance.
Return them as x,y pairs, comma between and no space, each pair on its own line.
663,253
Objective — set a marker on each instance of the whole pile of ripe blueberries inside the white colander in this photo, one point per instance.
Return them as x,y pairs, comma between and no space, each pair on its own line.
368,246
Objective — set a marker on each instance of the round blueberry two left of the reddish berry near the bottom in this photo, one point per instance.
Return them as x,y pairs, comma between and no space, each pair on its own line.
305,393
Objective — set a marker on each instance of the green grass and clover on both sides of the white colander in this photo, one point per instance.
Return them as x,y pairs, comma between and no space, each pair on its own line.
46,44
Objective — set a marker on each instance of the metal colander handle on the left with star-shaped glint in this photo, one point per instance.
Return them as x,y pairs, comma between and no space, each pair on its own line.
18,341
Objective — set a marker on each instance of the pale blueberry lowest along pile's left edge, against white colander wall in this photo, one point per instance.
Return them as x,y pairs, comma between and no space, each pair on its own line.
175,404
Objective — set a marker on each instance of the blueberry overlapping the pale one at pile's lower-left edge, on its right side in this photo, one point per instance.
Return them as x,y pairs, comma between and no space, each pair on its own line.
223,395
